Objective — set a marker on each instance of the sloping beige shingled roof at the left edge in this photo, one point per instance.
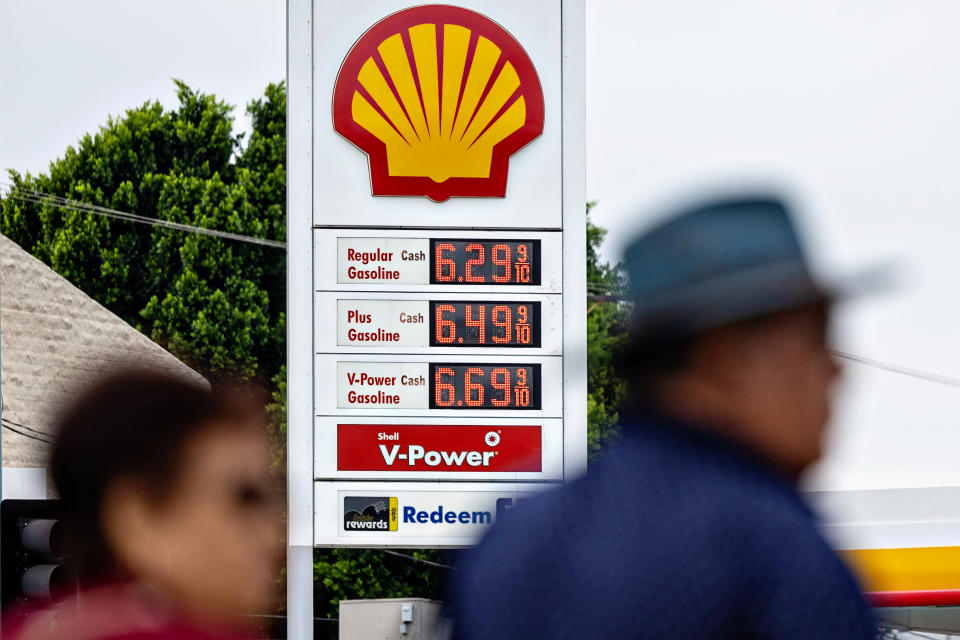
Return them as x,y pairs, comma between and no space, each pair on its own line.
54,338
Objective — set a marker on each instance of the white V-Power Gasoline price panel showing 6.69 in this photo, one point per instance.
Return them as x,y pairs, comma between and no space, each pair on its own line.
442,385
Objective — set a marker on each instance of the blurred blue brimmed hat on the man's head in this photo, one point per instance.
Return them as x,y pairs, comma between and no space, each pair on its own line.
716,263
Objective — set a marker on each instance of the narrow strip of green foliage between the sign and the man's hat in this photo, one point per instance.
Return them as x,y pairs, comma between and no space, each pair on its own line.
606,335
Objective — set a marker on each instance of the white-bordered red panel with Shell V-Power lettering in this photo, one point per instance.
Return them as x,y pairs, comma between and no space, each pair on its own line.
514,449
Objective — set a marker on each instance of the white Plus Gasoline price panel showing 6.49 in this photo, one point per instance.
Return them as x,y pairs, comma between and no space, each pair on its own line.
447,323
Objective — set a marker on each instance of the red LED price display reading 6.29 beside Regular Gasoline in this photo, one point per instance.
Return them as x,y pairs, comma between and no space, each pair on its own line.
485,262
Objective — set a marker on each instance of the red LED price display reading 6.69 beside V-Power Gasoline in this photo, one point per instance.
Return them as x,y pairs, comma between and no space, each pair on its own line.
484,386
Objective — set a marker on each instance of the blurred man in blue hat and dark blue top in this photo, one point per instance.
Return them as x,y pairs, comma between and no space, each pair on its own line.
691,525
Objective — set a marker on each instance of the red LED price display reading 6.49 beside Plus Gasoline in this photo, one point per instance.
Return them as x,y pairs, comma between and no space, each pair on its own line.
484,324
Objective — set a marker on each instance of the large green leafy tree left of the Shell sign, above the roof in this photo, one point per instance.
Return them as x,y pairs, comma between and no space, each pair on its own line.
217,304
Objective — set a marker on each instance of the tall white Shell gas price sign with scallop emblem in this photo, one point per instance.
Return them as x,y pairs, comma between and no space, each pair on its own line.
436,257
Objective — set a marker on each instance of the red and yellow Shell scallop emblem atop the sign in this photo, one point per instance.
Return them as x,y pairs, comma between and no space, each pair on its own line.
439,97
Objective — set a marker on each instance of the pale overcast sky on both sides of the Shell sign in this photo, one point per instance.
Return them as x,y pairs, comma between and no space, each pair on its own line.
852,104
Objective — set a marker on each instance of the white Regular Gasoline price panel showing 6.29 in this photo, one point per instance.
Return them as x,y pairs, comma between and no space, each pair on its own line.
439,260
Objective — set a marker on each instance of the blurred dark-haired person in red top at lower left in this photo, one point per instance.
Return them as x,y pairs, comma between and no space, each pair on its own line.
173,523
